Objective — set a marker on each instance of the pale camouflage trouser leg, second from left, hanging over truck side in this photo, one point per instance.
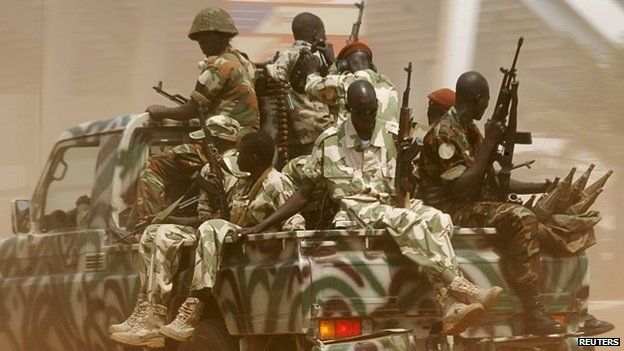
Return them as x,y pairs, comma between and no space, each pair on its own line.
212,233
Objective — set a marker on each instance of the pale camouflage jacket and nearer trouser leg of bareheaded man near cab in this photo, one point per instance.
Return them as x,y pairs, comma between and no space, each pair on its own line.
249,205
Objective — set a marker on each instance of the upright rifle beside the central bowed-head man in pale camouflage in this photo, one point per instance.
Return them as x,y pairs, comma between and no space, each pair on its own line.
402,196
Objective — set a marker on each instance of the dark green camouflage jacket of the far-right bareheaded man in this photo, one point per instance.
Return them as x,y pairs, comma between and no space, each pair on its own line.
449,149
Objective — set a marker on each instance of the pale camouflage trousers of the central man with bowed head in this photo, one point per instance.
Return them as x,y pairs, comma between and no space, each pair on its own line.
422,233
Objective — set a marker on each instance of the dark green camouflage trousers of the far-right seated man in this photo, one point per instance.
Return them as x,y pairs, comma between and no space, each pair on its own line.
519,227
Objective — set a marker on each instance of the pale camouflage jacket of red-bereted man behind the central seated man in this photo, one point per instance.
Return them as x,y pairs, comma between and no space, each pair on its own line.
332,90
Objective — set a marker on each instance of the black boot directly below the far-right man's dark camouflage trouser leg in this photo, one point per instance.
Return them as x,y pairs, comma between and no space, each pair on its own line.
536,320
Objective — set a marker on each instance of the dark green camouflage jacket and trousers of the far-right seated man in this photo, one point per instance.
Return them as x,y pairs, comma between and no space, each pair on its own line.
449,149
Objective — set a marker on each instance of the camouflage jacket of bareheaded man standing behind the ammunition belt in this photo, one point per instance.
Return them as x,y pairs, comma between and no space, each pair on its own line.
308,118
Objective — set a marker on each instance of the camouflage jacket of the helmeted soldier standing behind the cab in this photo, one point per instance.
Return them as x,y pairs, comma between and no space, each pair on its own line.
227,80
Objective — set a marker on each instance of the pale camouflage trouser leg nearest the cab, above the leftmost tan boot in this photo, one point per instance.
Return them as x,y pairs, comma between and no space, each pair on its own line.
159,258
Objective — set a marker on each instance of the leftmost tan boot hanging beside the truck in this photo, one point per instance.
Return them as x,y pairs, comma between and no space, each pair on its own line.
145,333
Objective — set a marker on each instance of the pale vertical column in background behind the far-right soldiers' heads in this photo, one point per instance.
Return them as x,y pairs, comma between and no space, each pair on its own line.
459,21
